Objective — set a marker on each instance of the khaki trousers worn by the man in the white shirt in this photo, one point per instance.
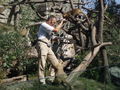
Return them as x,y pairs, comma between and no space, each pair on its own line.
45,53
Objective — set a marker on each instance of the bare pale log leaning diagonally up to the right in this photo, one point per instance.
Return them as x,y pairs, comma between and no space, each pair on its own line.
85,63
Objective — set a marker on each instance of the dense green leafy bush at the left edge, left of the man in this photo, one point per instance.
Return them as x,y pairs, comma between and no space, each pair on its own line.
12,48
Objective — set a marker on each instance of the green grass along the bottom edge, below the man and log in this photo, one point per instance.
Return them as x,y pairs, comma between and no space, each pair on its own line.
80,84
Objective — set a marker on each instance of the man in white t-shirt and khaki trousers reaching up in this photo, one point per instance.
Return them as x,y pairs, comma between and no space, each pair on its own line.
44,45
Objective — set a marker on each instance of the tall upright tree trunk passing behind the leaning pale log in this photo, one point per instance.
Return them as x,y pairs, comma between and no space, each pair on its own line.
103,50
